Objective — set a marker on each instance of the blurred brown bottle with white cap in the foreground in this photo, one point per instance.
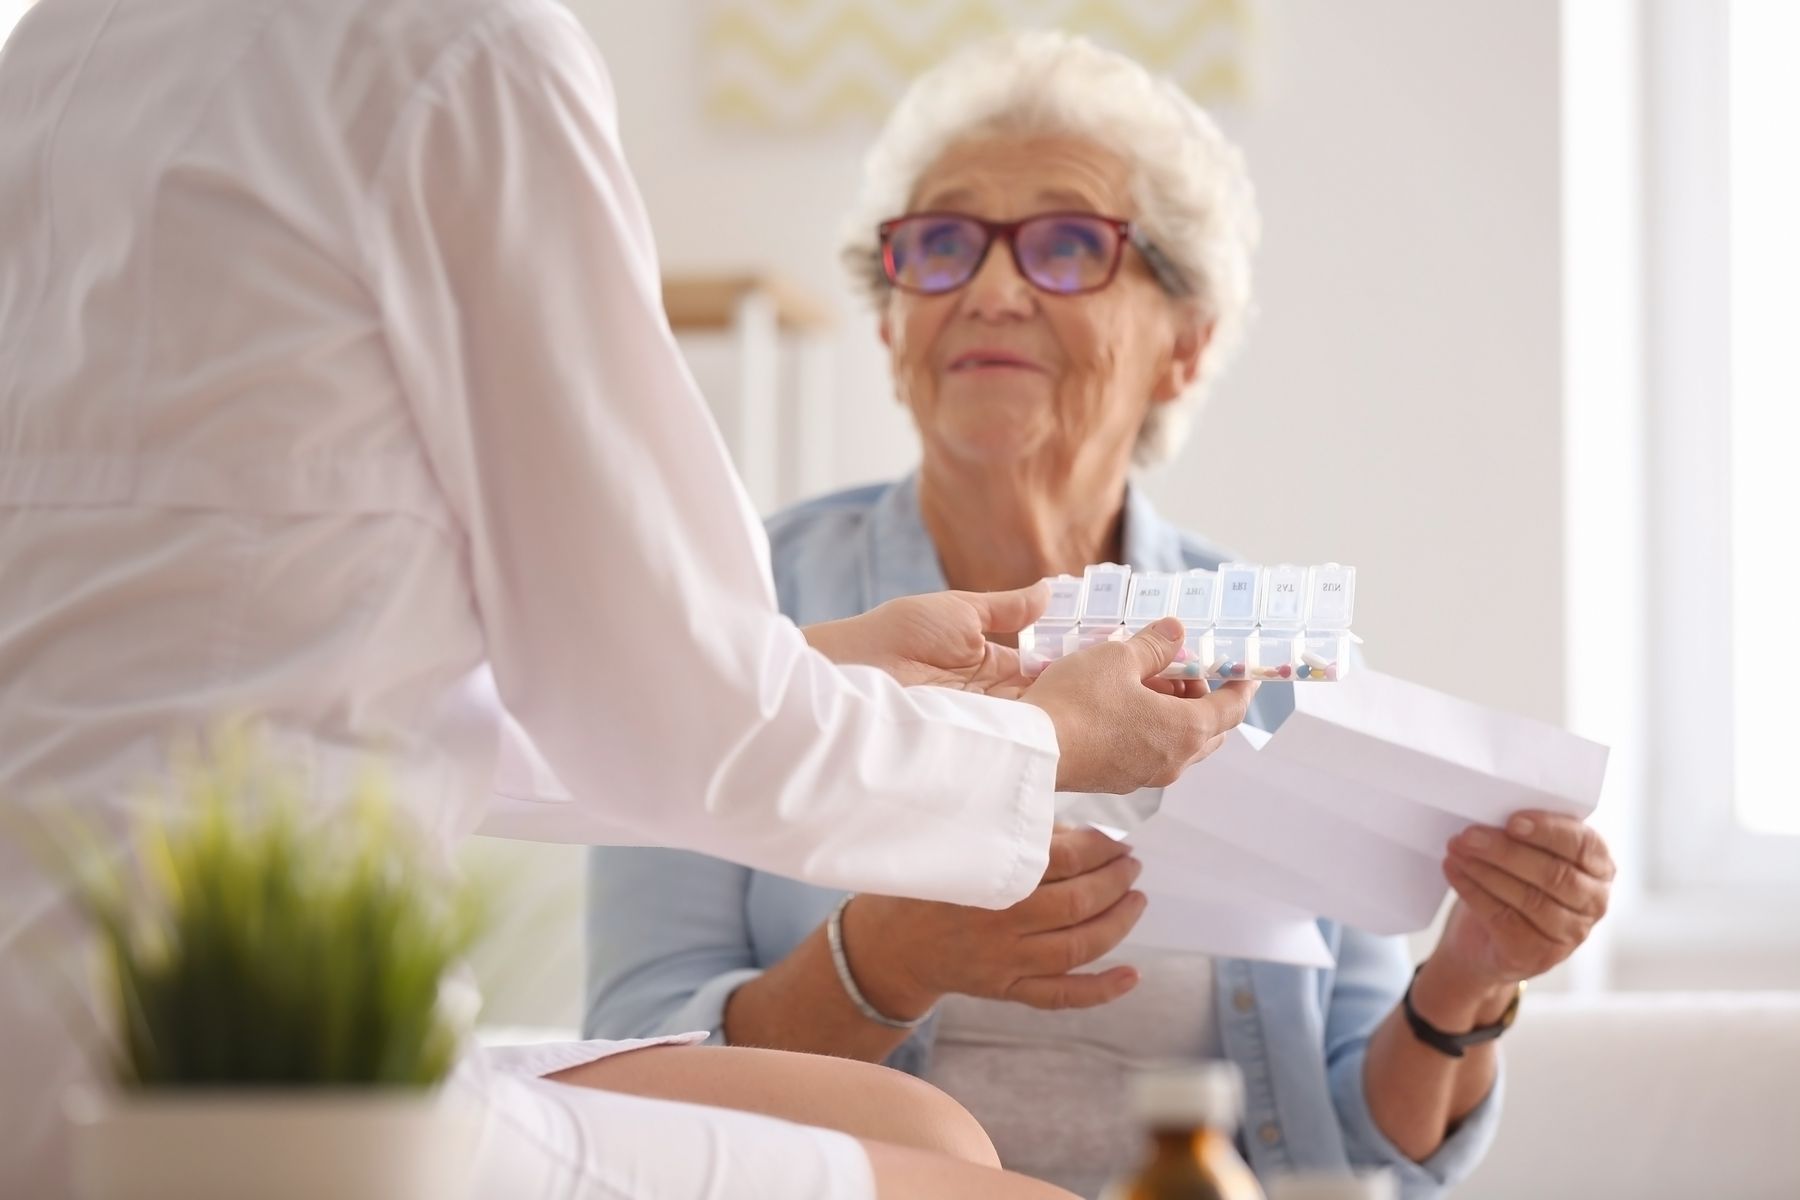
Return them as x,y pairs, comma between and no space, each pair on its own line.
1189,1116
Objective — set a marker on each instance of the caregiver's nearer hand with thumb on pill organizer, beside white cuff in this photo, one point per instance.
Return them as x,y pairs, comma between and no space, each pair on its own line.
1120,728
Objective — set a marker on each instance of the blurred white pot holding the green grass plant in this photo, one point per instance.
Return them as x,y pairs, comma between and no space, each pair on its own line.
271,1145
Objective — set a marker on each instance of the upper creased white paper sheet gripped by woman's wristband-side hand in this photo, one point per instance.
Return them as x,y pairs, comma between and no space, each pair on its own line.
1345,810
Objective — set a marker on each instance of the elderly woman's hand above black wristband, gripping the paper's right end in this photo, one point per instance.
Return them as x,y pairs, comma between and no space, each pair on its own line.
1531,895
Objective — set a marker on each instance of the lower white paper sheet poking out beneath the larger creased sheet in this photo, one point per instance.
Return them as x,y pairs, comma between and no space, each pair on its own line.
1200,913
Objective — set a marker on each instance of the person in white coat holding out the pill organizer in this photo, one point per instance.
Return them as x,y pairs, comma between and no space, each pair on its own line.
334,375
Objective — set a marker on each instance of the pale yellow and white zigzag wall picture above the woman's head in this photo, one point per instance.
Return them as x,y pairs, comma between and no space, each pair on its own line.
901,35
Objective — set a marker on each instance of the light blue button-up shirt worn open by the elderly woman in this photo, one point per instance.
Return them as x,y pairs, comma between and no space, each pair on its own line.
674,935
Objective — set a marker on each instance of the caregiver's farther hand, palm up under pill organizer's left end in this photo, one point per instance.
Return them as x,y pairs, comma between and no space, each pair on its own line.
939,640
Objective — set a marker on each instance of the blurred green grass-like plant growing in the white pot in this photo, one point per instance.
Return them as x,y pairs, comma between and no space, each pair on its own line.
255,944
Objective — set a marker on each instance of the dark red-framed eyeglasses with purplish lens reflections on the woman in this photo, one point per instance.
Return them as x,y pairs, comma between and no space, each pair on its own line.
1057,253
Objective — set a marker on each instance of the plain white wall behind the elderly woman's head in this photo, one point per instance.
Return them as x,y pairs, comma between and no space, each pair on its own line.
1398,406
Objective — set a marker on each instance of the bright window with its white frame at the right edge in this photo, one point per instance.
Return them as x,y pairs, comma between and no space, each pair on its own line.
1722,442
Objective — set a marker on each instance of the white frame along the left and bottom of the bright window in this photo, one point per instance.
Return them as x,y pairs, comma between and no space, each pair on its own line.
1696,834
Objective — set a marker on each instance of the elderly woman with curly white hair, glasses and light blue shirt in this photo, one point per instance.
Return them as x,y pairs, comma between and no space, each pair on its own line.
1059,253
